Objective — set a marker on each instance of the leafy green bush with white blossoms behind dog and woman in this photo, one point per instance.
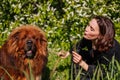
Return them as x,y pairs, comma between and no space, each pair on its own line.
62,20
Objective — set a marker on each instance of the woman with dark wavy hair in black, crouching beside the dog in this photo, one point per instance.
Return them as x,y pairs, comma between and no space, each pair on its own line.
98,46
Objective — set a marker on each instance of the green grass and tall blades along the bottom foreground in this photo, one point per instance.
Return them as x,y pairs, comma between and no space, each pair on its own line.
59,69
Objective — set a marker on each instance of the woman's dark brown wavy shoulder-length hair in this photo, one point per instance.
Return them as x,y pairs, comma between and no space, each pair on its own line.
107,33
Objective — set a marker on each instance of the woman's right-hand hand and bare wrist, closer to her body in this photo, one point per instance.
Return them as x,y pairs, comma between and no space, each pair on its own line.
78,60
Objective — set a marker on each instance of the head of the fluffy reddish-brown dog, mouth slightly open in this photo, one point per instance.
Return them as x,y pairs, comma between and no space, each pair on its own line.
27,41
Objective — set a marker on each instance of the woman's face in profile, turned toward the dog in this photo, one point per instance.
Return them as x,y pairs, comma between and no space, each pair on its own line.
92,30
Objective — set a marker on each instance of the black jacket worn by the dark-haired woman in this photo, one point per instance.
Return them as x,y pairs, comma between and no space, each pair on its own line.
84,48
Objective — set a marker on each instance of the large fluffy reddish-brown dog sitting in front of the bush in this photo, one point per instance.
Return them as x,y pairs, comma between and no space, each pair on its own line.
24,50
